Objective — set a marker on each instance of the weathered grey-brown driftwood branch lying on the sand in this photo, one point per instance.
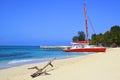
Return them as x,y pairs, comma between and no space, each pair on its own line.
42,70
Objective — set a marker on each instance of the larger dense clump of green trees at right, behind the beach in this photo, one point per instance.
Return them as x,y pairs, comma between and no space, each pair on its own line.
108,38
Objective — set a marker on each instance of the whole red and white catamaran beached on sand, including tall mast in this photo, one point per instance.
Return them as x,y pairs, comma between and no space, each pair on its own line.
83,46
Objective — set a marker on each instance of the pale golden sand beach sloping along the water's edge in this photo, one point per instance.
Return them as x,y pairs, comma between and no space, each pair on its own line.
98,66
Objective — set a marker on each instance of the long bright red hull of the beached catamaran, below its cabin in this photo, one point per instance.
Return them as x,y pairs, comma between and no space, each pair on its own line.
86,50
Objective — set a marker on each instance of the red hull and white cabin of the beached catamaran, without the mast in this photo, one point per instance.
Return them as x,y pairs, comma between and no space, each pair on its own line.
82,46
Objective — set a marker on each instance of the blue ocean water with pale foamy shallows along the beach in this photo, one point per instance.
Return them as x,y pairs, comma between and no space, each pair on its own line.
19,55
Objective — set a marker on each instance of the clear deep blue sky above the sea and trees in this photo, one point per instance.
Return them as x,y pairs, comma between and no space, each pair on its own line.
53,22
